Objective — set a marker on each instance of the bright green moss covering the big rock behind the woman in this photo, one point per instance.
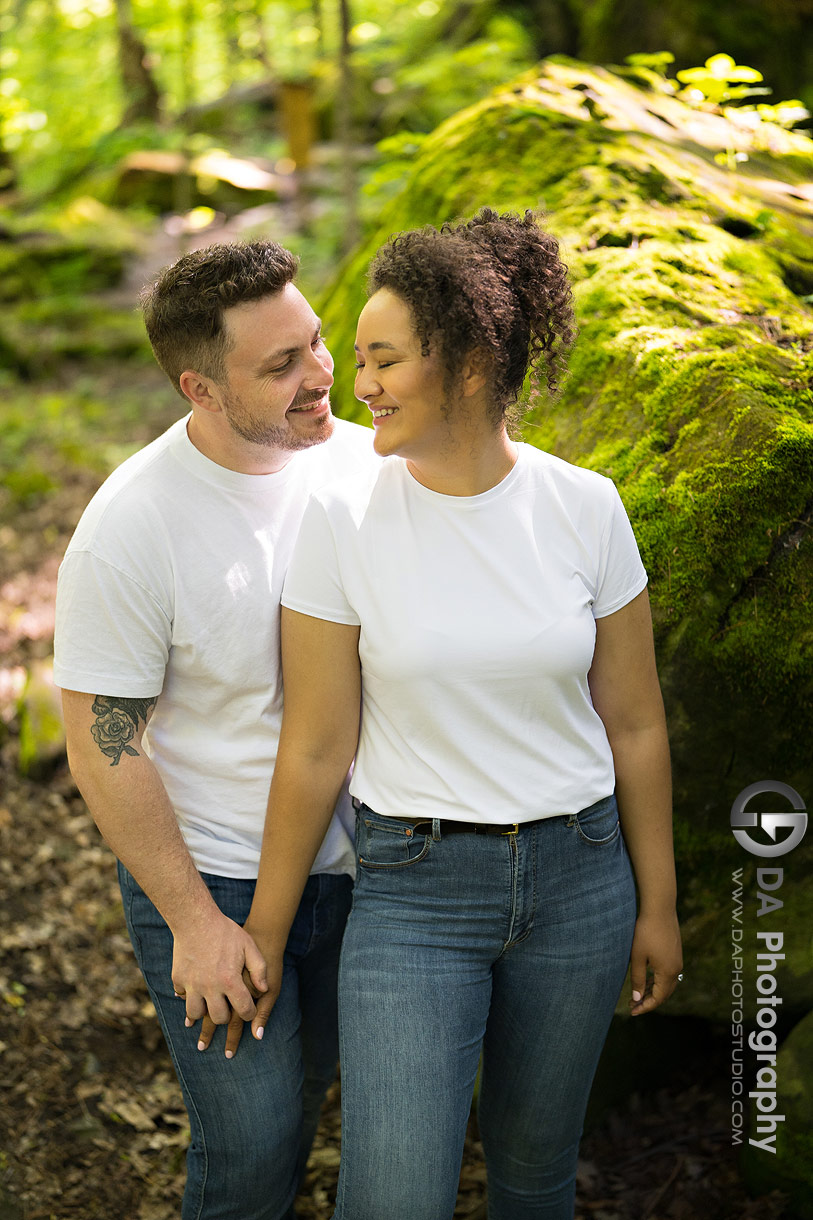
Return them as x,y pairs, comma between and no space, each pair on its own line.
690,384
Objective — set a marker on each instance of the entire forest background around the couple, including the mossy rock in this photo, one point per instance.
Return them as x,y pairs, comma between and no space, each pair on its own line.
670,143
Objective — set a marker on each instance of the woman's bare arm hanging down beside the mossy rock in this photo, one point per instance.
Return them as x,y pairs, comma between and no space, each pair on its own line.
627,695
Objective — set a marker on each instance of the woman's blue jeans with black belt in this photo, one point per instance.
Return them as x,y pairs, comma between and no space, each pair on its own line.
516,946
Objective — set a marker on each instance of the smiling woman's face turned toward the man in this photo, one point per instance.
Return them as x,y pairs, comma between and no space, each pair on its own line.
403,389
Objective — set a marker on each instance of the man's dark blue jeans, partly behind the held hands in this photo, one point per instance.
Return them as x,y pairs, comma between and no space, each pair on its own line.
252,1118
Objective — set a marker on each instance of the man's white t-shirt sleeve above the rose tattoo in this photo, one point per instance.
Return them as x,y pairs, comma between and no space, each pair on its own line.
113,637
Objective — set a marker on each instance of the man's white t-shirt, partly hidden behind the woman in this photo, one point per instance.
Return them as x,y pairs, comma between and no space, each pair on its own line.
172,587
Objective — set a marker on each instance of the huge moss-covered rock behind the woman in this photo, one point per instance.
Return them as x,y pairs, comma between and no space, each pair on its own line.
692,387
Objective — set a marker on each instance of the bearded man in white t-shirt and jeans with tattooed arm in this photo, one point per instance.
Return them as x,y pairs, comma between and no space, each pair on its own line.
168,653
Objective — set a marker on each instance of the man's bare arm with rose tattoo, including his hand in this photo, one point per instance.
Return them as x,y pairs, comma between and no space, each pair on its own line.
132,811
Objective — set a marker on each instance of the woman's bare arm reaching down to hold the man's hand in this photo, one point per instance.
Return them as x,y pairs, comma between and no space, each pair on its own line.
320,731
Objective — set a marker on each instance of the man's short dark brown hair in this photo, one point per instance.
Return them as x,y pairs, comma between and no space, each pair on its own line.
184,309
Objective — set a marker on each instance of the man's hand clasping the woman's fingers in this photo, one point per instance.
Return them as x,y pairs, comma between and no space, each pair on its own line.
208,966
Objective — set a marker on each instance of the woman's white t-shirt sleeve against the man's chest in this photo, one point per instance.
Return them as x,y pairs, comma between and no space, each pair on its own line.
314,585
